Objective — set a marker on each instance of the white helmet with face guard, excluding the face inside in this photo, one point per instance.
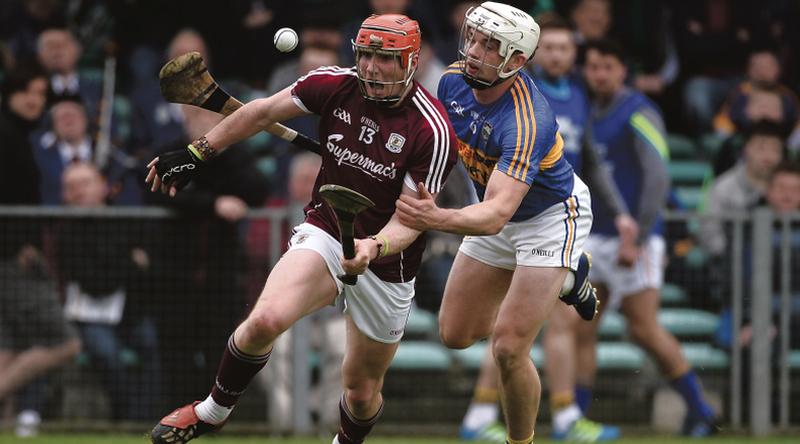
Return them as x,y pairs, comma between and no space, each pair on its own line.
514,29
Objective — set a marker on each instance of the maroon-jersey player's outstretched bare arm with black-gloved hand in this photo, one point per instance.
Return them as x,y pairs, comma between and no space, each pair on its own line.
174,169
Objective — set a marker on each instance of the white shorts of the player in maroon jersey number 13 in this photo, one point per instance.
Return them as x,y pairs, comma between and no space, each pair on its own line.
379,309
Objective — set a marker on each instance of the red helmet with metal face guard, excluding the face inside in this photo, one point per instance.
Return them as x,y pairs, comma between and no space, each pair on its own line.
388,34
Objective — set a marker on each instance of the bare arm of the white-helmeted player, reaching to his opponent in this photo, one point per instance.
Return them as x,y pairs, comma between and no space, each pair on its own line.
501,200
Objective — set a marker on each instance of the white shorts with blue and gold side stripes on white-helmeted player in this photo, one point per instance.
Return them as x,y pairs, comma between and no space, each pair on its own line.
554,238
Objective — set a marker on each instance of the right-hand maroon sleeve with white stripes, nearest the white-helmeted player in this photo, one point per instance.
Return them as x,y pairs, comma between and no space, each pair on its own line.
436,143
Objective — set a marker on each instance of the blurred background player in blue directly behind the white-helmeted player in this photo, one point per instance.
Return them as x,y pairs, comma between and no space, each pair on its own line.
553,73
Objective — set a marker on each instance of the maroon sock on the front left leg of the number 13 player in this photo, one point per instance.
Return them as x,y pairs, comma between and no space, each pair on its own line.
235,372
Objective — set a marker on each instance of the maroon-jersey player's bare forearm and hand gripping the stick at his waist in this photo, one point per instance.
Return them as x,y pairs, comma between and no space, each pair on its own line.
393,238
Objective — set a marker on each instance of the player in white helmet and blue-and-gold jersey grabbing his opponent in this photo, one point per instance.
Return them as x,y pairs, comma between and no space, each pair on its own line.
527,231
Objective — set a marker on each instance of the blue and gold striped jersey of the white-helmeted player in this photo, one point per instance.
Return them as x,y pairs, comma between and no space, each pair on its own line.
517,135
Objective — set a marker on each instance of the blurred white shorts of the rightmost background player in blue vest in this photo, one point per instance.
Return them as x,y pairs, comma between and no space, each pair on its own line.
646,273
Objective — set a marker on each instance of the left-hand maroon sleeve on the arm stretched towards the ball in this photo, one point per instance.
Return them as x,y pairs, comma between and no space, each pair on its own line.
314,89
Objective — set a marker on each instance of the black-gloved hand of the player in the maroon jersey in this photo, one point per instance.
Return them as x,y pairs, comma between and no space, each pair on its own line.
172,170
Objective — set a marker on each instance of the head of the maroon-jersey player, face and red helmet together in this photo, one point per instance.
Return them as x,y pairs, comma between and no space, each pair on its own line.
389,40
